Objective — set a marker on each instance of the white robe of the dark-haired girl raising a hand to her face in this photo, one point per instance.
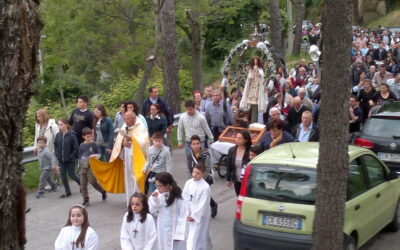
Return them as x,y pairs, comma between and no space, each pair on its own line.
171,221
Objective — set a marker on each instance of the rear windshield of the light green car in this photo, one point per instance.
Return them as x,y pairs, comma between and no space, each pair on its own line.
283,183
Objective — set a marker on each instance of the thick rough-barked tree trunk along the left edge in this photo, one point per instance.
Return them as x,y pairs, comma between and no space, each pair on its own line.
20,34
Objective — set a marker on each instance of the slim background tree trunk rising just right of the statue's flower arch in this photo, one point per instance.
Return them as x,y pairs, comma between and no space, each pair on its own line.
275,14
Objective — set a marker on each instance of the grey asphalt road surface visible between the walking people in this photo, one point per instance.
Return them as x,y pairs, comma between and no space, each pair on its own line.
48,215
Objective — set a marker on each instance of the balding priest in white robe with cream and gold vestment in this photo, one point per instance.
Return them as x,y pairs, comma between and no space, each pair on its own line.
133,127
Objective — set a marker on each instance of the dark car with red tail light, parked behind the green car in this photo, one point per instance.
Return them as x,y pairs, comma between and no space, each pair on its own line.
381,134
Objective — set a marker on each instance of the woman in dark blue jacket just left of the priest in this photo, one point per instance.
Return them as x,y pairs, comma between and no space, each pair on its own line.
104,132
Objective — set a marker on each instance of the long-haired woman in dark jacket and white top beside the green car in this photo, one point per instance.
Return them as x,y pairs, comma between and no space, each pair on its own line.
238,156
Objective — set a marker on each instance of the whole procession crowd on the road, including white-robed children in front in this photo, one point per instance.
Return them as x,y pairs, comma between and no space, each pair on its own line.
162,215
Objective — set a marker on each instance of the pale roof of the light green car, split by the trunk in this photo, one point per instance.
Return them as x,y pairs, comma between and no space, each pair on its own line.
302,154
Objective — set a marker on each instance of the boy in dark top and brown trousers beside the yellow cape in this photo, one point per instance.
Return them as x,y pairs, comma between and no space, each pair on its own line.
88,149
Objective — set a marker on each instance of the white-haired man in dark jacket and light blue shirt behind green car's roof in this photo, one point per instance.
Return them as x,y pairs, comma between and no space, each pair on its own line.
306,131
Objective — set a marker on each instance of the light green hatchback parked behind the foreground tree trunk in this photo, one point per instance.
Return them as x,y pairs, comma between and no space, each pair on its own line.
275,208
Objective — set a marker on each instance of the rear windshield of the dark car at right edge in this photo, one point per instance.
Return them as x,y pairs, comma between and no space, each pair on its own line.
382,127
